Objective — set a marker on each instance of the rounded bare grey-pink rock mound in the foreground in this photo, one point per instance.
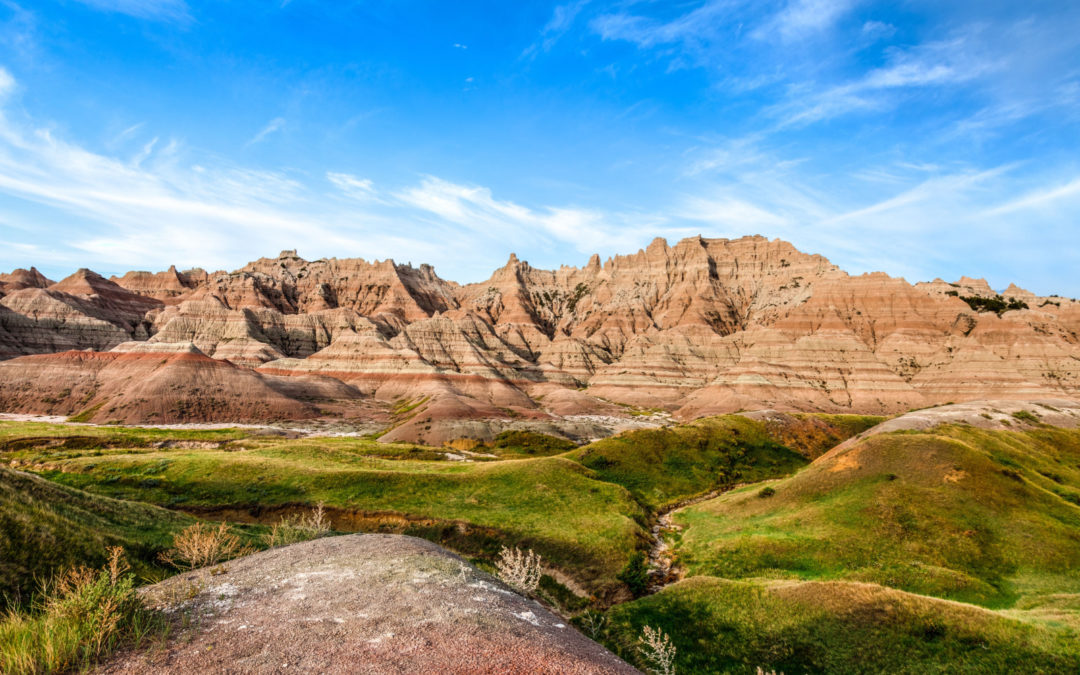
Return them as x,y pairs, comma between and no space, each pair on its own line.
361,604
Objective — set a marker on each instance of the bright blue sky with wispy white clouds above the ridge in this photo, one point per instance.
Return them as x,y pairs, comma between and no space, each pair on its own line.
919,138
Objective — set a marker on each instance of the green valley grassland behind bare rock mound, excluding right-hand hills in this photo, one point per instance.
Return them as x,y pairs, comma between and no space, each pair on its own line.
586,510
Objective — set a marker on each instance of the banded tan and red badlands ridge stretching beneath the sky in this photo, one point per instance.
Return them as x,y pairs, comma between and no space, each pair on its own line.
701,328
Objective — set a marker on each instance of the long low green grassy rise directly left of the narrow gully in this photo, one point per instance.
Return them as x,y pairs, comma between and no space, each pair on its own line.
551,505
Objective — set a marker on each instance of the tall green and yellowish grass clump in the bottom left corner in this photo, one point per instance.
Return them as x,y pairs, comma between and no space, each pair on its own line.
80,617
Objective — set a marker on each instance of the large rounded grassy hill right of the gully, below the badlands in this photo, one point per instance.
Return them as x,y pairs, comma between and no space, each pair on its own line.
977,516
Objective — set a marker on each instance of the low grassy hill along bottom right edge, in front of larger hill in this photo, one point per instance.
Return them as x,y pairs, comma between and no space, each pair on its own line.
838,628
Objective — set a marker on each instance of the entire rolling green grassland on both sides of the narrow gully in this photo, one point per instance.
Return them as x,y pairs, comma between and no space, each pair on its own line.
952,550
